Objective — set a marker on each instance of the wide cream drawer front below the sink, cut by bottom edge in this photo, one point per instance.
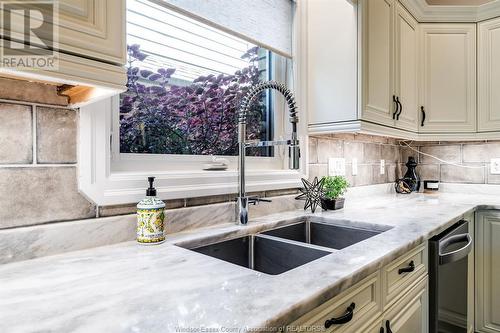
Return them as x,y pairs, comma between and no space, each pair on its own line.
365,295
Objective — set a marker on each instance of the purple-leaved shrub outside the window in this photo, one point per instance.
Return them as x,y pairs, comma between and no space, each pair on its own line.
158,117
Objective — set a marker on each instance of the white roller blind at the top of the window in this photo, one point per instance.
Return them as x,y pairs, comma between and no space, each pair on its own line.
265,22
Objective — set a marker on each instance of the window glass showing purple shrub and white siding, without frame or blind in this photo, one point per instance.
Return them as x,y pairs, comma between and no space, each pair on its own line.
185,84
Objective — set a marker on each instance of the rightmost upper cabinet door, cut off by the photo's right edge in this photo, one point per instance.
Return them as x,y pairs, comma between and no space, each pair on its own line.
488,75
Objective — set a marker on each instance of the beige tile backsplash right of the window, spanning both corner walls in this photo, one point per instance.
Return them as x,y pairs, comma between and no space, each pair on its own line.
457,162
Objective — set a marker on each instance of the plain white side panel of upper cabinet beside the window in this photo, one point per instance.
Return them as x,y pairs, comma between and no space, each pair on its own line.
332,61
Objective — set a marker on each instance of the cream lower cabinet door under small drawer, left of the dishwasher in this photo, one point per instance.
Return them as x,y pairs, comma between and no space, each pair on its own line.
410,314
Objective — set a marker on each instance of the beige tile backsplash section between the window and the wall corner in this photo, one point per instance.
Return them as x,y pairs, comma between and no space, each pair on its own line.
367,149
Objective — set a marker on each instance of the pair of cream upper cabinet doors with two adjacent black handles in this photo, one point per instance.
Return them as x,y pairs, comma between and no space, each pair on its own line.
389,65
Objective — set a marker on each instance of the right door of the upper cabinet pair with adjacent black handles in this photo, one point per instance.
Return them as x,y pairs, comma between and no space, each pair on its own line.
406,80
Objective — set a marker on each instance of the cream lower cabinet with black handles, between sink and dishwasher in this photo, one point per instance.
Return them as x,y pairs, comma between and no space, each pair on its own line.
372,308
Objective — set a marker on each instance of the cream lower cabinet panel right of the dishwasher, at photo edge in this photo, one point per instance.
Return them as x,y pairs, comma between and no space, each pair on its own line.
488,271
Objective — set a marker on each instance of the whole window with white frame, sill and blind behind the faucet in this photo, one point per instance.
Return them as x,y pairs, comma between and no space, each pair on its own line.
190,64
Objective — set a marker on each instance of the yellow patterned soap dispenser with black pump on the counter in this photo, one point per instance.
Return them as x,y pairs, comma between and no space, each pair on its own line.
150,217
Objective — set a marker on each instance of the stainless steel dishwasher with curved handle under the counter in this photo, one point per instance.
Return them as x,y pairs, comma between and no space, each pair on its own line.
451,270
